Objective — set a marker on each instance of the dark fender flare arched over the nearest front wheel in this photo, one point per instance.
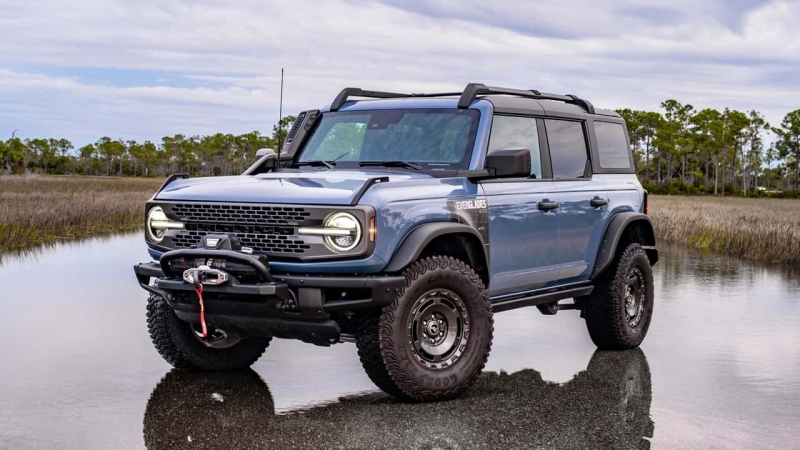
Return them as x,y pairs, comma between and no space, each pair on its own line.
416,240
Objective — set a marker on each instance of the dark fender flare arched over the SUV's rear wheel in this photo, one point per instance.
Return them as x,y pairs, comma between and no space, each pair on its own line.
616,227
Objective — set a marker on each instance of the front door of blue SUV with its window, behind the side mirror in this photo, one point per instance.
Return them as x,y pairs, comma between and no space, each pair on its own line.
523,235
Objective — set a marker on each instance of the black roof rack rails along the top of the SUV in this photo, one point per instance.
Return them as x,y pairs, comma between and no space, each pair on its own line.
470,93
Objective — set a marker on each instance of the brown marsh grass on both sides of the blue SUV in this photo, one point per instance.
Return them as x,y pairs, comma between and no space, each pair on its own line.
40,210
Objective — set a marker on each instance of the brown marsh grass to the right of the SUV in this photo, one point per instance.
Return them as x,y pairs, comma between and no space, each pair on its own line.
760,229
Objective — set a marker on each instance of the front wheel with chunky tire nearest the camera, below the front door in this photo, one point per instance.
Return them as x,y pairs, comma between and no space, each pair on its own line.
433,341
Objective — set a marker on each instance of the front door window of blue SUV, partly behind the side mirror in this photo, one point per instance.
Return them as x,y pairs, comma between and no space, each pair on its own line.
517,132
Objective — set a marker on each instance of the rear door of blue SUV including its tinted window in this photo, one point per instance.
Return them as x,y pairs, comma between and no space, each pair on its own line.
583,201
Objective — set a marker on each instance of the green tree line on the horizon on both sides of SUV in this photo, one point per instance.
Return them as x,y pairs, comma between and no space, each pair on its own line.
676,148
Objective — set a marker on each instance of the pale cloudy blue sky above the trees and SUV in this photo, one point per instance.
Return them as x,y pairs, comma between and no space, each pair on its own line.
145,69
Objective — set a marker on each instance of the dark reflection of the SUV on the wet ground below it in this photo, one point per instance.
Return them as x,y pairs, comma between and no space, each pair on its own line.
605,406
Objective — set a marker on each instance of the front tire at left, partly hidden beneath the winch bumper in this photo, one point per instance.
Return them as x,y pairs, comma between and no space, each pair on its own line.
178,344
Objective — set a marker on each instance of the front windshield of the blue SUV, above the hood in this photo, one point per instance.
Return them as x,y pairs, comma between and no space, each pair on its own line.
430,138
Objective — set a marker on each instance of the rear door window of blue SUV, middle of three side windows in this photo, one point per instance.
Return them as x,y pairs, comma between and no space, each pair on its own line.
568,151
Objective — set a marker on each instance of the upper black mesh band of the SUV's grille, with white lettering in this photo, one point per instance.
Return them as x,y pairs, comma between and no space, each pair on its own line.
240,214
